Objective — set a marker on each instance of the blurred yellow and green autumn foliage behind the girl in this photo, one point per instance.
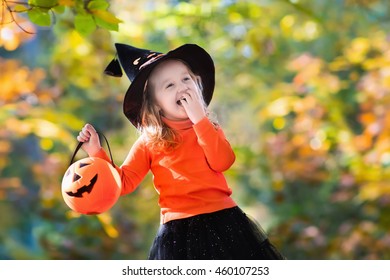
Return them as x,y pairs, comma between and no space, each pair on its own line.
303,94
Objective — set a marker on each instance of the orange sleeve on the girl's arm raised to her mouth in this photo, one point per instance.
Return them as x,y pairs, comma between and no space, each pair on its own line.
217,149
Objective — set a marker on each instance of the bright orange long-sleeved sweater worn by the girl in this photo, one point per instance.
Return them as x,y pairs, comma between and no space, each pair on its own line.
189,179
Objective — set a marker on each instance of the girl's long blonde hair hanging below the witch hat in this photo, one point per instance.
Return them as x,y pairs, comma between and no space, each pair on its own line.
159,136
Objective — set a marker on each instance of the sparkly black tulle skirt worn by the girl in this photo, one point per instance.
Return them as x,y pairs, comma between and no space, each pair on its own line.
222,235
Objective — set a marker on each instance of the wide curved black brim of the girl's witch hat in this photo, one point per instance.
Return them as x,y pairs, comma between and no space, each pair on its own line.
199,61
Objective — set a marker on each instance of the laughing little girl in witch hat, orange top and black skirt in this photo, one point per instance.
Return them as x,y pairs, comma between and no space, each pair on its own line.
186,151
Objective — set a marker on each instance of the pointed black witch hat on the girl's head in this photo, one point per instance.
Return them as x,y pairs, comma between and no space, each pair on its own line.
139,63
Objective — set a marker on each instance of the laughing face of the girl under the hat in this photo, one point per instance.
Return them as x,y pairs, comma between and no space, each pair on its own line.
168,82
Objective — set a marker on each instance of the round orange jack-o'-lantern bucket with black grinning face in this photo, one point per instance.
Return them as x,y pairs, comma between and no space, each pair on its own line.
91,186
